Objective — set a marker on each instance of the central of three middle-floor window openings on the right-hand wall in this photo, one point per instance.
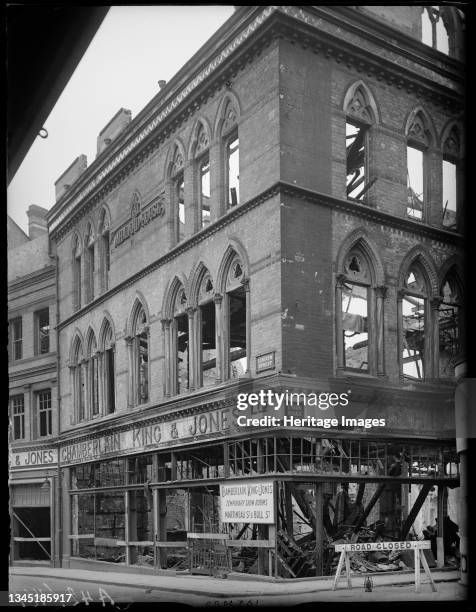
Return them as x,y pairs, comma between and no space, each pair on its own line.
413,350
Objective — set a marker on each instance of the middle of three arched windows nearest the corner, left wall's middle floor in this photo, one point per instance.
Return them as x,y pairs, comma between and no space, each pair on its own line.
208,353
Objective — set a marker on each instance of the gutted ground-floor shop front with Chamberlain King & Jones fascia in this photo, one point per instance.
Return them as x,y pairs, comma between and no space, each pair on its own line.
275,501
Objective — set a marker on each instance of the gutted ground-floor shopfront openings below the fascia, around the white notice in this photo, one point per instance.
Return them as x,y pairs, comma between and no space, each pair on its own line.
140,511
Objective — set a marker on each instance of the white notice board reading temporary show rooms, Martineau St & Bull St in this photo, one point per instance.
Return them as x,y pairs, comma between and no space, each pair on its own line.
247,502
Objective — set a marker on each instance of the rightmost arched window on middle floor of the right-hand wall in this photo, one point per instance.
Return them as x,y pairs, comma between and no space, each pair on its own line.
449,322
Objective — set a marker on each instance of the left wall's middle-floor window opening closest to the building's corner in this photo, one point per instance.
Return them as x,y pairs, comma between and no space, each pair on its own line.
237,314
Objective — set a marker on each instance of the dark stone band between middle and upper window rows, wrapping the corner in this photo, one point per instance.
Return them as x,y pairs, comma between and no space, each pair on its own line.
280,188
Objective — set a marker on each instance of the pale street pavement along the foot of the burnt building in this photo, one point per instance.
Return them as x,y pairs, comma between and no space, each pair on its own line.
242,586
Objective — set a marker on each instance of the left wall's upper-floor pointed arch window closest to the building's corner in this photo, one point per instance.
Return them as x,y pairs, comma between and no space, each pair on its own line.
232,155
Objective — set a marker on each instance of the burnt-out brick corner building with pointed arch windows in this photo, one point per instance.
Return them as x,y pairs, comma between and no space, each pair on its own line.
284,217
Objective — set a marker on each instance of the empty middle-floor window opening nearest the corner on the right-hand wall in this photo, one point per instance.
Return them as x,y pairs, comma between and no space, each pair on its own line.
355,325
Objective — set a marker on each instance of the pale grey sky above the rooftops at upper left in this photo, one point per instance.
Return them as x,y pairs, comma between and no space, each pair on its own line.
135,47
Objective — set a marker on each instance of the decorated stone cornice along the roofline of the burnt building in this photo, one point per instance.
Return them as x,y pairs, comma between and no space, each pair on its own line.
154,127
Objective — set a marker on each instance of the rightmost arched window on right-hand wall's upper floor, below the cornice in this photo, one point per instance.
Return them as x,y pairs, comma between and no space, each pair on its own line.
450,169
